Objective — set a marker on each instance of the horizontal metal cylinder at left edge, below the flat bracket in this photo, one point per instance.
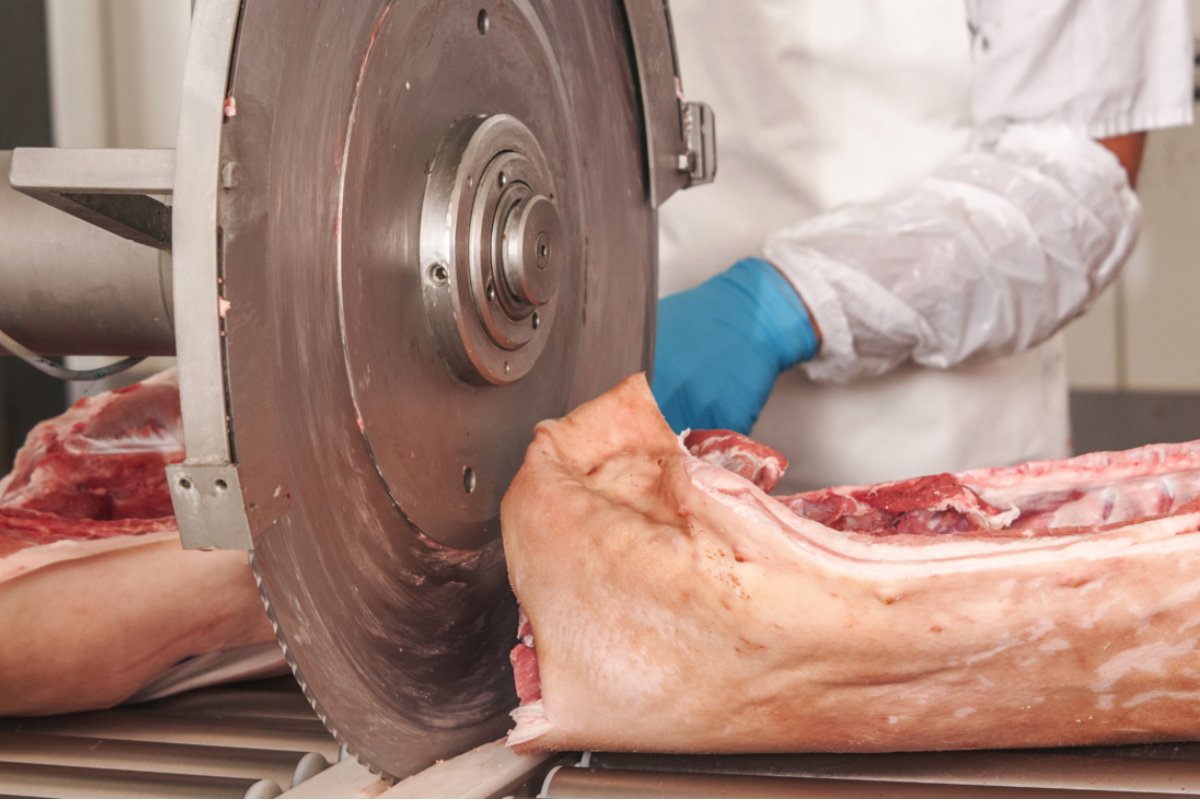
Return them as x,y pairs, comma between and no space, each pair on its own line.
69,288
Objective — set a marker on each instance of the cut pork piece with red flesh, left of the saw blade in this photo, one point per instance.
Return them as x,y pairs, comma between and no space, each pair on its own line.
98,598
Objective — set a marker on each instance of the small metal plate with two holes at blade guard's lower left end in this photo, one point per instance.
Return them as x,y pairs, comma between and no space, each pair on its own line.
209,507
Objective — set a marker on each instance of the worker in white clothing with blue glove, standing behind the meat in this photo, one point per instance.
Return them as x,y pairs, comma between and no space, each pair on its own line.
915,197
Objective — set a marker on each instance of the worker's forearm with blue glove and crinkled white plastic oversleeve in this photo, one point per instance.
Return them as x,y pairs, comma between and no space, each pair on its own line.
992,255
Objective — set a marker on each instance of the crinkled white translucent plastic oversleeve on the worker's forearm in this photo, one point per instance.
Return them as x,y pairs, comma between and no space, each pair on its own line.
989,256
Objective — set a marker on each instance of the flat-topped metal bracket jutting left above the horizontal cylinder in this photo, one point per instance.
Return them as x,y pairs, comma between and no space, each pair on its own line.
115,190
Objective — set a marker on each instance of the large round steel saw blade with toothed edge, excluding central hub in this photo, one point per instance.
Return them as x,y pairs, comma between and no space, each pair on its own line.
359,451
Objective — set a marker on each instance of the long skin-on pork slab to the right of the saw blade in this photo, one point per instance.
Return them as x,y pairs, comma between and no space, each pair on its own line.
671,605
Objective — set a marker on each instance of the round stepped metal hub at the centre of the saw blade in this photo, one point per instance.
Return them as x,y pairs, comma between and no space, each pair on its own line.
493,242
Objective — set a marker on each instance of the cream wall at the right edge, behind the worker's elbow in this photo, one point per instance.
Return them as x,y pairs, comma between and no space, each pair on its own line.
1143,334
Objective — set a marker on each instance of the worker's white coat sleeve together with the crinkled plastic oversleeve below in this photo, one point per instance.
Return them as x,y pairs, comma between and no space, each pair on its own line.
1010,242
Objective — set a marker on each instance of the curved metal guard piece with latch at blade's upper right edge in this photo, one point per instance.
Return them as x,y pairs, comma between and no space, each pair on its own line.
681,137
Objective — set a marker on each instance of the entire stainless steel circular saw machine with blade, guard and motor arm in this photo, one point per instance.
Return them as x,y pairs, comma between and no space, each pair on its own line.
393,236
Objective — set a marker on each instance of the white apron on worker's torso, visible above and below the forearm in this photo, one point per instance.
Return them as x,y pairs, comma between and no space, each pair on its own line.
821,104
